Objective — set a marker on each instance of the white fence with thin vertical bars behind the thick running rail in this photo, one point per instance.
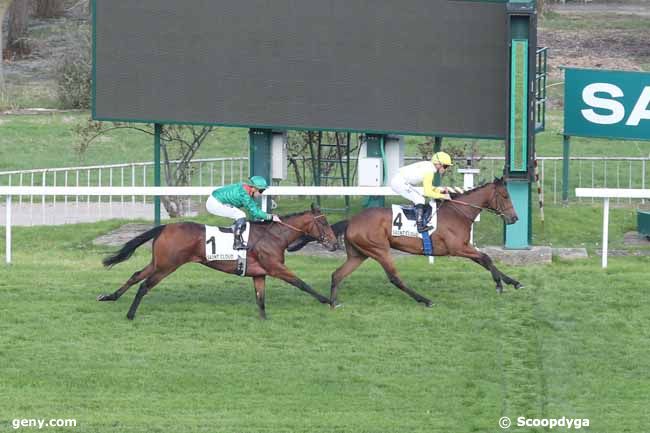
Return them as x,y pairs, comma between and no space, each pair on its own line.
593,172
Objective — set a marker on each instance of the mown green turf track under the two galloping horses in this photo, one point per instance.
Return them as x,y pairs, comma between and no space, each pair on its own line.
573,343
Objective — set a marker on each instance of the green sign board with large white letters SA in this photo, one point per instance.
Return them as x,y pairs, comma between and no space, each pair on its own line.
613,104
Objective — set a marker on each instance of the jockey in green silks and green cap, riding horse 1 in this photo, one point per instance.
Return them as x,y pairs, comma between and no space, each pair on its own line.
227,200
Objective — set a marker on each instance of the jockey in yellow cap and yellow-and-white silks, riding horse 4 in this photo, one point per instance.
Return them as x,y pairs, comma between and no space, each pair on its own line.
422,173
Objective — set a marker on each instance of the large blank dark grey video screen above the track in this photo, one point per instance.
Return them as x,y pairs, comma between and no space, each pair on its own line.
434,67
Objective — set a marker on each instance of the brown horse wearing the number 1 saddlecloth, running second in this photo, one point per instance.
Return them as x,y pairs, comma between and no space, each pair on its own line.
180,243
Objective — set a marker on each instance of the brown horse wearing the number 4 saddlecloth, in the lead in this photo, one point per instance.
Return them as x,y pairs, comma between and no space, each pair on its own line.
368,234
